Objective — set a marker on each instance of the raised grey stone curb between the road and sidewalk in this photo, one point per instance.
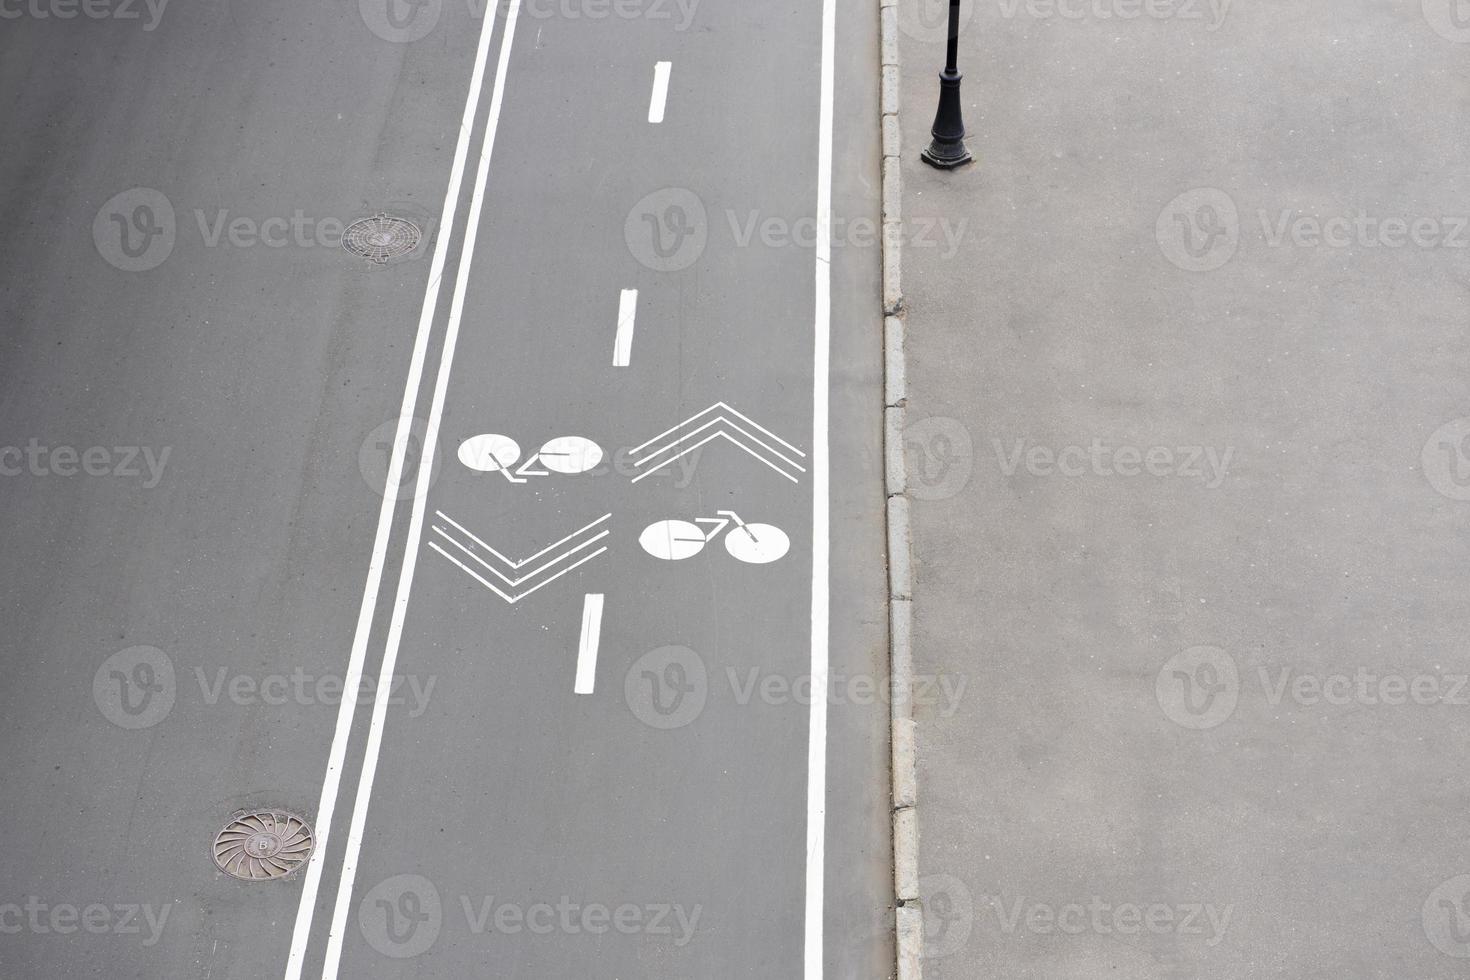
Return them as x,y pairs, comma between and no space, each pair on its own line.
903,747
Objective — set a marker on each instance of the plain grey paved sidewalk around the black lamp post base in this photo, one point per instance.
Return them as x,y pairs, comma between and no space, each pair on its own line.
1187,433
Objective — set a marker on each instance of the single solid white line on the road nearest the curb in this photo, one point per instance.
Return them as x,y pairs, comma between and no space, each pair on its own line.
817,732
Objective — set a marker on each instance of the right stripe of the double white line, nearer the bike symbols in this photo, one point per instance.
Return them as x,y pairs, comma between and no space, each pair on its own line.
421,490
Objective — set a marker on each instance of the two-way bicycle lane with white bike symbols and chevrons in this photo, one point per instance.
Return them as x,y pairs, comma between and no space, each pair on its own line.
656,825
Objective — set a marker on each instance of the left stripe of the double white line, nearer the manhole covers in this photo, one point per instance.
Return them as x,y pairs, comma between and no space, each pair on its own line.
342,735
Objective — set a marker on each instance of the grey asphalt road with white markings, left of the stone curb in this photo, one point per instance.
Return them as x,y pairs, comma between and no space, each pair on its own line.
580,491
